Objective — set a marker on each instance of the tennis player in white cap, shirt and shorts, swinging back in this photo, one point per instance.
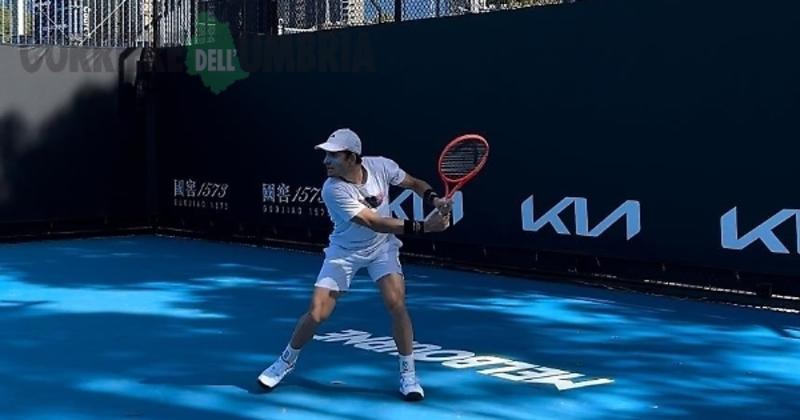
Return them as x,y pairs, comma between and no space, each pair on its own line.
356,196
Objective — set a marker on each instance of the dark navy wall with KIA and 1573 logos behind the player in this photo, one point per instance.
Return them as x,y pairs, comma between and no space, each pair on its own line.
687,108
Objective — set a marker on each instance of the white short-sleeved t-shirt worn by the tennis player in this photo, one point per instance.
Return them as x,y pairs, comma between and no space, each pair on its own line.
344,200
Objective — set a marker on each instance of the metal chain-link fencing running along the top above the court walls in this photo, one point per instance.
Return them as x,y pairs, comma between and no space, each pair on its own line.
139,23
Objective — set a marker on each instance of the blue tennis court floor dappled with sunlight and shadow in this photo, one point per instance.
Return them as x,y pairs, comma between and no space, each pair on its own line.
159,327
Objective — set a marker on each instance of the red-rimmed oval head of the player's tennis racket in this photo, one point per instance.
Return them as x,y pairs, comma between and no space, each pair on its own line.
461,160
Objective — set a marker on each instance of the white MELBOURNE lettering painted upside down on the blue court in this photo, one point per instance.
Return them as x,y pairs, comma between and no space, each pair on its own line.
510,370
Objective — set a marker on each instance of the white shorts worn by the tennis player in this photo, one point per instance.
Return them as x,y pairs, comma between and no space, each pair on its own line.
340,266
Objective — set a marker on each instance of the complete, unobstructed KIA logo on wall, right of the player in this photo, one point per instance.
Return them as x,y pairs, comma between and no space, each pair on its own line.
630,210
